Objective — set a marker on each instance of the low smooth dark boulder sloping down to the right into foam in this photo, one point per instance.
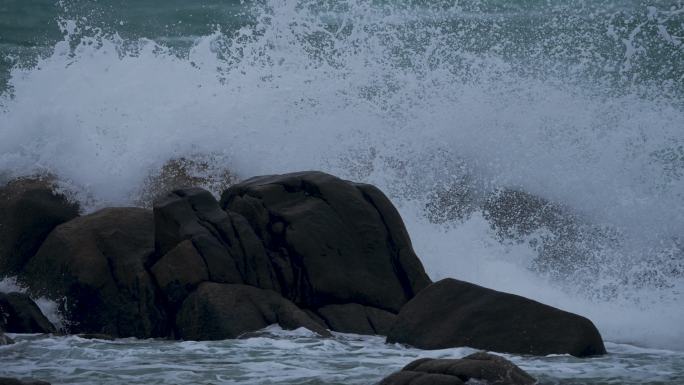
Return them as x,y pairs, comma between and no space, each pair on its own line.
452,313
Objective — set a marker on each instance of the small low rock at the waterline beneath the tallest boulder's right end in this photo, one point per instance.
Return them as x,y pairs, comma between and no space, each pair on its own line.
358,319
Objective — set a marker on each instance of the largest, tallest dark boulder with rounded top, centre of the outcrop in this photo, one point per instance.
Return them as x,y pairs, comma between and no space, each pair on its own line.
330,241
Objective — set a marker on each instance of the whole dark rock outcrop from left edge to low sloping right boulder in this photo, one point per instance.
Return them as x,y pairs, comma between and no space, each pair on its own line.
299,250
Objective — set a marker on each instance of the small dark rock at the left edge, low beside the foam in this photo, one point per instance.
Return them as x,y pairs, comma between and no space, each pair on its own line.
19,314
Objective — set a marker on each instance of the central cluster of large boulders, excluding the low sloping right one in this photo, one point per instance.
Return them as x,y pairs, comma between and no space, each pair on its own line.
337,250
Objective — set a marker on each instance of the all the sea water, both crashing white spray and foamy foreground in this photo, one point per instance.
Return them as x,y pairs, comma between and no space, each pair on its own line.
439,103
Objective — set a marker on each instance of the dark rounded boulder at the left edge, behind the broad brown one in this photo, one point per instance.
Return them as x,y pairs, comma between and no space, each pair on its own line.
29,210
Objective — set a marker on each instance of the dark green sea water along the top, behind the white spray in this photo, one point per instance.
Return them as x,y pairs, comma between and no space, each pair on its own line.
624,42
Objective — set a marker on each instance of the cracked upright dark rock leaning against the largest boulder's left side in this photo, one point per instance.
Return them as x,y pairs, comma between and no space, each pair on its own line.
226,243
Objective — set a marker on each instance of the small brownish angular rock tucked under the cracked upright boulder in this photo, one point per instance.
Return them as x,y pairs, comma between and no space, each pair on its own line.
179,272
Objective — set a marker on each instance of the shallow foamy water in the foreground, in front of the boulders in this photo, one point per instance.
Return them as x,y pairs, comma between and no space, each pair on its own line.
278,357
